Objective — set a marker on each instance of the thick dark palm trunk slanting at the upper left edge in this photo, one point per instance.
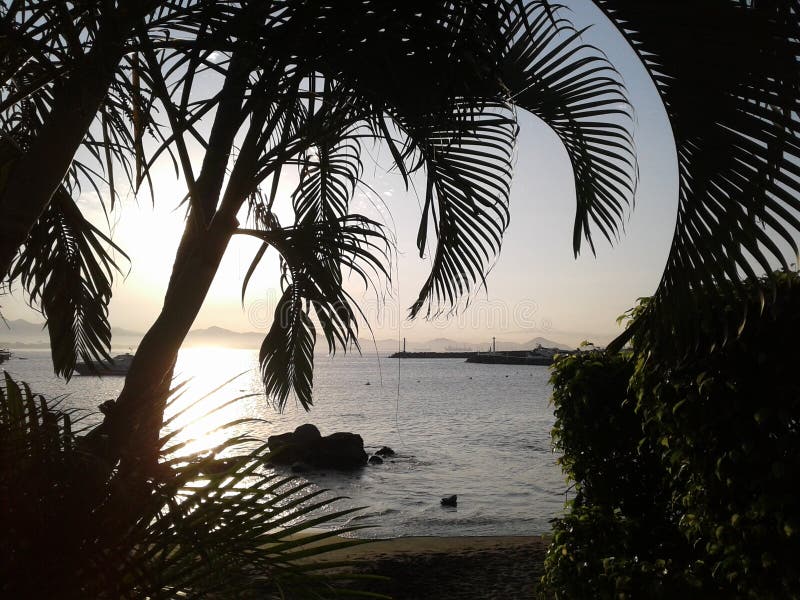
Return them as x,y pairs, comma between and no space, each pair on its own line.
36,174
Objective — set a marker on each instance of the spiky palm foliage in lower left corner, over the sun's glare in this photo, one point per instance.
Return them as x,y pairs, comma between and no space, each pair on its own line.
220,522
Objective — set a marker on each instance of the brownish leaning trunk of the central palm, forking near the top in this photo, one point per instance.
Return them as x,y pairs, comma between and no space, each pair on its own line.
130,430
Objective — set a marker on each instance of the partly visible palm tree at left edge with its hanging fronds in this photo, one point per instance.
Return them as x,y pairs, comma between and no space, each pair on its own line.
72,104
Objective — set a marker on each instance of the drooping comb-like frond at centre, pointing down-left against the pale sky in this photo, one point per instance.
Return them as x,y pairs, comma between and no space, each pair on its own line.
467,157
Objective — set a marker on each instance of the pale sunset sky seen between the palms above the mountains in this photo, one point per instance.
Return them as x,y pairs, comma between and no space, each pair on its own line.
536,287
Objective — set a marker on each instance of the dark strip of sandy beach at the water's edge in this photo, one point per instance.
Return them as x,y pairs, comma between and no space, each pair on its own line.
474,568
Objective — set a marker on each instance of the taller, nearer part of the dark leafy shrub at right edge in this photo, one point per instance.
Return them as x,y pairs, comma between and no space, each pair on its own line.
729,423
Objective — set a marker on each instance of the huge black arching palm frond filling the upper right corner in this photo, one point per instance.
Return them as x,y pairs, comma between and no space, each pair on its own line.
727,72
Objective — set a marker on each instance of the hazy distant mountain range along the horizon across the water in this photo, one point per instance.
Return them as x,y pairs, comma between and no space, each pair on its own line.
24,334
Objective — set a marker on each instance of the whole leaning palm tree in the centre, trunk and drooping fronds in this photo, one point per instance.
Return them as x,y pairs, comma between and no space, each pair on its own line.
338,79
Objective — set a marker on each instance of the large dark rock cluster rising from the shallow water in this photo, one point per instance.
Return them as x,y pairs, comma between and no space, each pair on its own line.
306,446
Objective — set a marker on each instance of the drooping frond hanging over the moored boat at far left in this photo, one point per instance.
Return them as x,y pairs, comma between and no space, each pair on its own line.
66,268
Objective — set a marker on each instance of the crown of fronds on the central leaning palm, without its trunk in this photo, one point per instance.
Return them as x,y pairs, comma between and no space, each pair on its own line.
460,140
